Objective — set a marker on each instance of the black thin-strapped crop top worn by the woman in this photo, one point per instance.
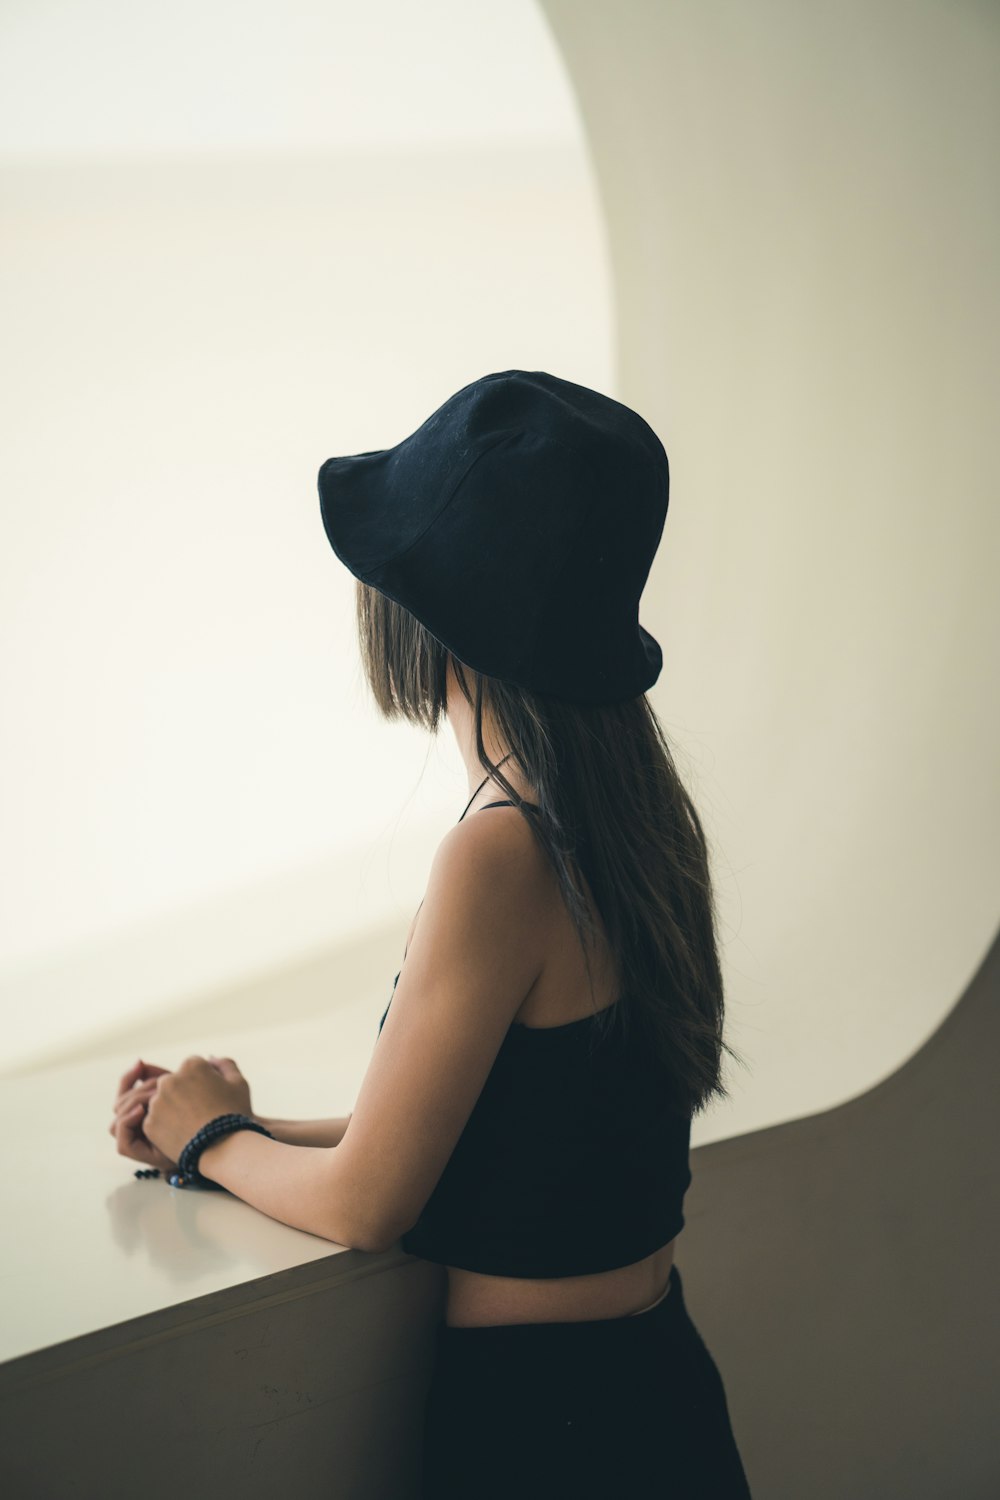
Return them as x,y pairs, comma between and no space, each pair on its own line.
569,1165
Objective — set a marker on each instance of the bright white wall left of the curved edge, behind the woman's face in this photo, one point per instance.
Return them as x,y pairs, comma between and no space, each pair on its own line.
194,787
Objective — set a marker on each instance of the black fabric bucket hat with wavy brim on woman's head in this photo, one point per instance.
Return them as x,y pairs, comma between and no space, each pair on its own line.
518,524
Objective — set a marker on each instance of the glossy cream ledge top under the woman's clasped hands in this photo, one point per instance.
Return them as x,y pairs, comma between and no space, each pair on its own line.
91,1247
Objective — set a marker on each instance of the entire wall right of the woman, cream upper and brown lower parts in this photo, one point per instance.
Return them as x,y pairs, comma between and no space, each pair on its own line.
806,229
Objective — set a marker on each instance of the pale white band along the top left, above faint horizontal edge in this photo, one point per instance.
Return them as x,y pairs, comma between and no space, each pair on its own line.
128,79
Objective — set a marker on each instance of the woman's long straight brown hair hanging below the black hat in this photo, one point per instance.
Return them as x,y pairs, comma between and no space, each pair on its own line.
609,803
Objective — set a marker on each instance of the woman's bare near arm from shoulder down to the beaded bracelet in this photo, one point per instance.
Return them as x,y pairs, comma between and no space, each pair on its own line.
478,952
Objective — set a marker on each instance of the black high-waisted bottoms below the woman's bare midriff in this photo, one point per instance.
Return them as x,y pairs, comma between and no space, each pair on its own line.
612,1409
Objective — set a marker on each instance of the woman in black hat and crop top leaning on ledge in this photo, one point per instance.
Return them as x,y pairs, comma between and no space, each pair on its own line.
558,1016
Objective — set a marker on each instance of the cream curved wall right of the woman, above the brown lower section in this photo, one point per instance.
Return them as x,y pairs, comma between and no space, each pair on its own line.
804,226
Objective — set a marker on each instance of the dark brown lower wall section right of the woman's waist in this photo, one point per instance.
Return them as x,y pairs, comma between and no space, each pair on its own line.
842,1270
